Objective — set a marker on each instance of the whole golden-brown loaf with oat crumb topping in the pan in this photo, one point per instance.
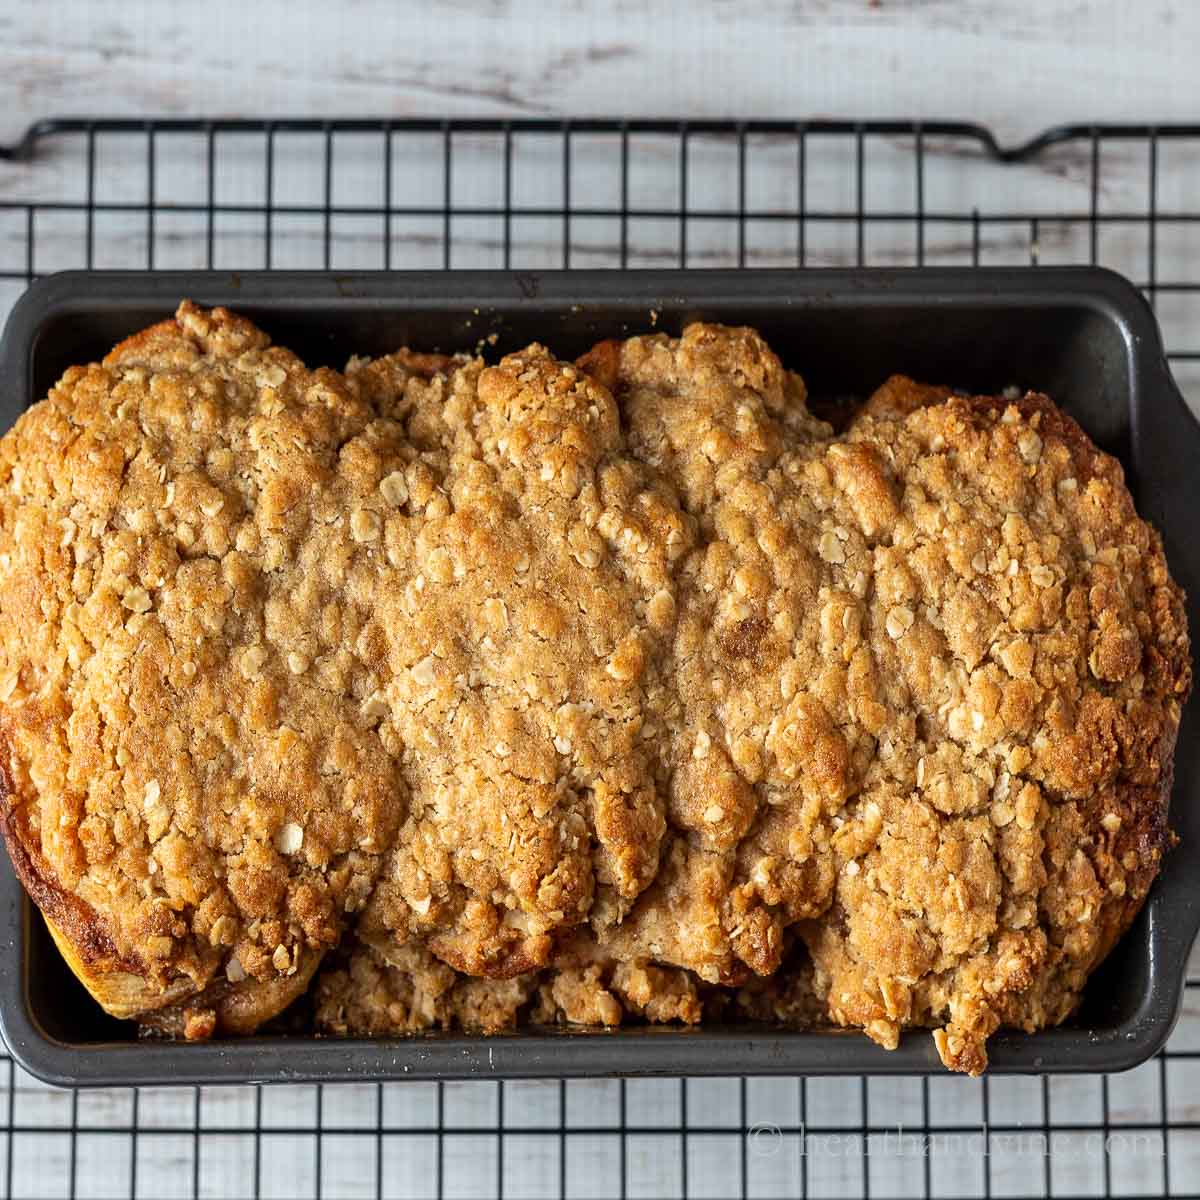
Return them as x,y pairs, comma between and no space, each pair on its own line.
567,692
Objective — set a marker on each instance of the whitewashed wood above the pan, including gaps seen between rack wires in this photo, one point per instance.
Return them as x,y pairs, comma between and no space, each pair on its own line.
1011,65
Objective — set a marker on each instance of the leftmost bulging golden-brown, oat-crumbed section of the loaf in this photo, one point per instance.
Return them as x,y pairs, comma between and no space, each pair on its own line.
207,806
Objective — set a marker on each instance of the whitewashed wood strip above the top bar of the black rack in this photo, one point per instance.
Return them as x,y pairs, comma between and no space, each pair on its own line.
1015,65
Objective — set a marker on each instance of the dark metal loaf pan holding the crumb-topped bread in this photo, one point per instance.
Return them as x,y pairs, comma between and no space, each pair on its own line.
1085,337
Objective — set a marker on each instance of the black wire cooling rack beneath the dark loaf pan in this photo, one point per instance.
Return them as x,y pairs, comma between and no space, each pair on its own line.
380,194
